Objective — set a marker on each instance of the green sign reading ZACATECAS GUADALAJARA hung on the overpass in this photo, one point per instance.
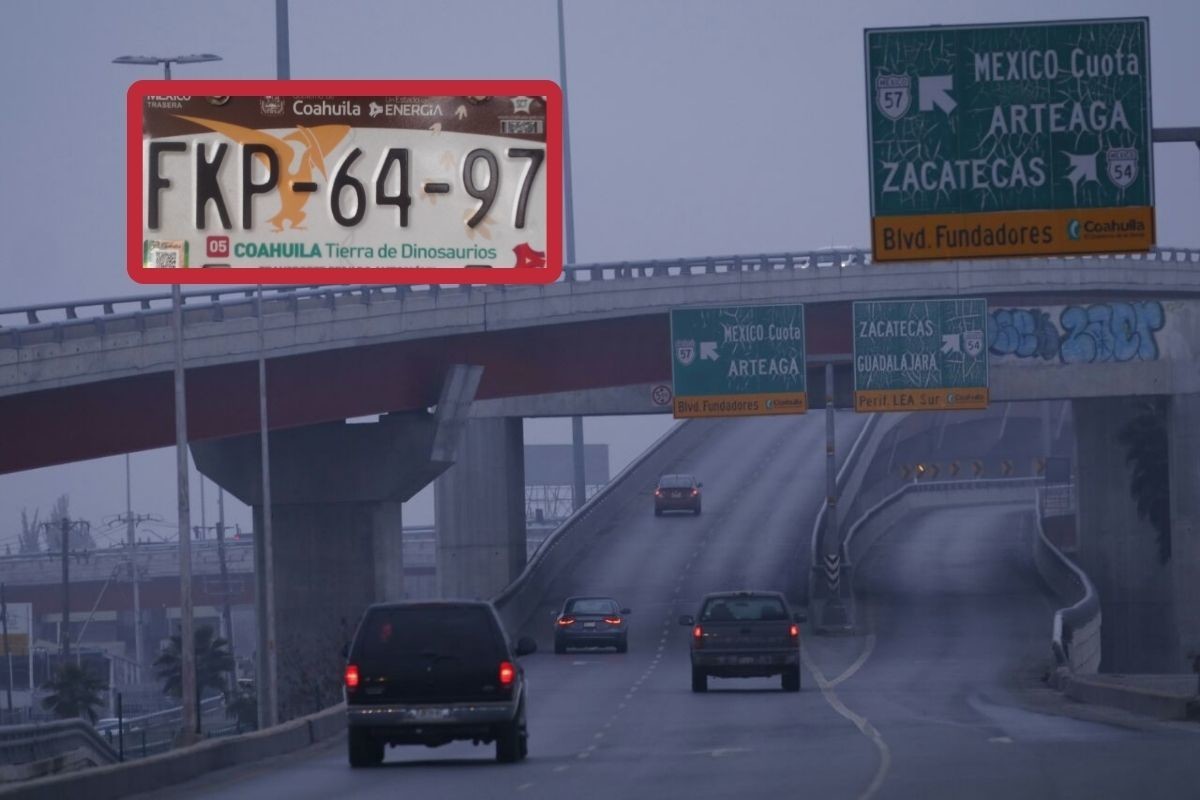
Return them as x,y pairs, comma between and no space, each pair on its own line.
921,356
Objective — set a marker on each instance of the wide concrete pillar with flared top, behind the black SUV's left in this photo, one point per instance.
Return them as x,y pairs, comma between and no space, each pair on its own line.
337,494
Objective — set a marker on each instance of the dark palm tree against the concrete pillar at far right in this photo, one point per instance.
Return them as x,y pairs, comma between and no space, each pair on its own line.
1145,442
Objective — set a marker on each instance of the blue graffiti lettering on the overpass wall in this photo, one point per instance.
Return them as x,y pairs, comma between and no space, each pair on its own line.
1111,332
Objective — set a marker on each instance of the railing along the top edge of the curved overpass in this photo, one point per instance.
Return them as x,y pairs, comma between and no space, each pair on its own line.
16,320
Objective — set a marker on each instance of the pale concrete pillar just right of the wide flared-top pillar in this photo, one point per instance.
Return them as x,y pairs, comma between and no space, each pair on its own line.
479,512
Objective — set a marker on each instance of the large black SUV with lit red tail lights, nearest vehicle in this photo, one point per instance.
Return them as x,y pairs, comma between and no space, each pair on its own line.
430,673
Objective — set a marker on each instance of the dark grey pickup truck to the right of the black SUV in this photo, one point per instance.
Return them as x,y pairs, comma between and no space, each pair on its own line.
745,635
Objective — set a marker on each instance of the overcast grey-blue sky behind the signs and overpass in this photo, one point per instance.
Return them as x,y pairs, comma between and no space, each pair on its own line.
698,128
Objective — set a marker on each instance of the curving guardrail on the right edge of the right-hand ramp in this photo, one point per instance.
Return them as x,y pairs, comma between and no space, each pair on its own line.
1076,636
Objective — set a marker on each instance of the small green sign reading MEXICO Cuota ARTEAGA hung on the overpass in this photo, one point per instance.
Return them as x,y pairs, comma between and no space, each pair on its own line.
739,362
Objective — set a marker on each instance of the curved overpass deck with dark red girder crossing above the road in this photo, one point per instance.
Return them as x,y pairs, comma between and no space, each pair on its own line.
381,350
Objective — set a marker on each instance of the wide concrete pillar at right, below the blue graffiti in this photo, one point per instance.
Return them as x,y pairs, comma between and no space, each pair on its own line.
1117,549
